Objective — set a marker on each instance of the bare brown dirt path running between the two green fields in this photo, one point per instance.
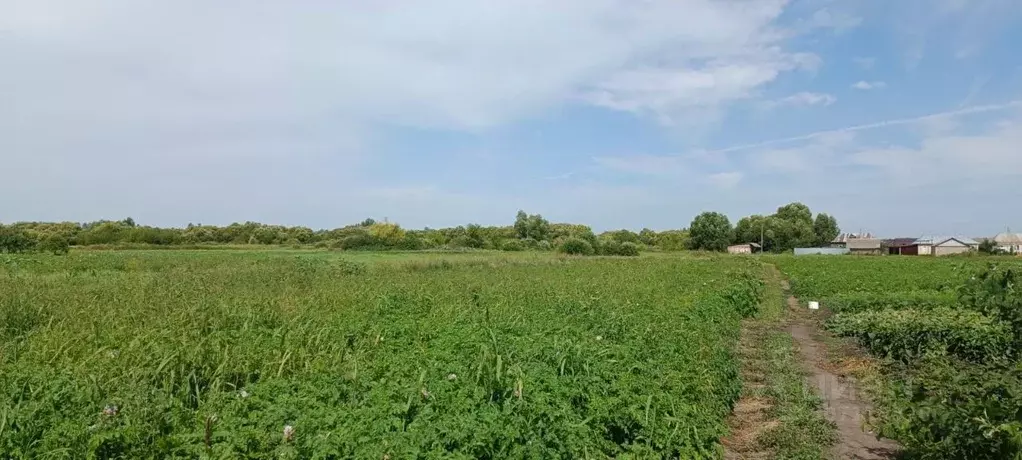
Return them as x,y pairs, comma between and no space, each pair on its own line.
841,397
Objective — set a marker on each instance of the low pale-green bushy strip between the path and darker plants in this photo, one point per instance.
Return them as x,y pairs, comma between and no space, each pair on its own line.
910,335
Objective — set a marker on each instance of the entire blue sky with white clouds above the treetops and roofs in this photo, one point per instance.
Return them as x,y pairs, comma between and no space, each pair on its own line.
901,118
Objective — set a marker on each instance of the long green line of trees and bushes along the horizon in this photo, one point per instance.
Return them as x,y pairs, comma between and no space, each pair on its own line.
711,232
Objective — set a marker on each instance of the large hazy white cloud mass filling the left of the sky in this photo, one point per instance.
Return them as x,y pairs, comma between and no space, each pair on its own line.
240,101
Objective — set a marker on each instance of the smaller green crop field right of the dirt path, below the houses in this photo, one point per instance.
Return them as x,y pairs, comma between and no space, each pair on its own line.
948,334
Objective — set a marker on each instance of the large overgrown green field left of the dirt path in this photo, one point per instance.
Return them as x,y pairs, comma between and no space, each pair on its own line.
321,355
